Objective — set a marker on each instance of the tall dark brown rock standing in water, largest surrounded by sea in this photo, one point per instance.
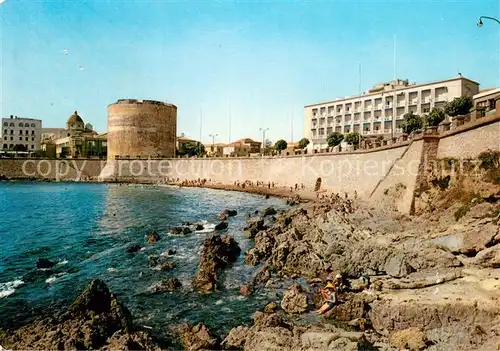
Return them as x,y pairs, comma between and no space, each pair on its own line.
217,252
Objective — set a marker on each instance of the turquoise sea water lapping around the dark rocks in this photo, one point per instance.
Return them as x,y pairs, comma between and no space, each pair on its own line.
86,229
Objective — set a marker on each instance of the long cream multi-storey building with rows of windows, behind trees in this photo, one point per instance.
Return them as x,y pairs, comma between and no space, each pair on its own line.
380,110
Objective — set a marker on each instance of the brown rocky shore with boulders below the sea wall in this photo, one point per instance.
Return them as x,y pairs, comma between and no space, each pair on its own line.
424,282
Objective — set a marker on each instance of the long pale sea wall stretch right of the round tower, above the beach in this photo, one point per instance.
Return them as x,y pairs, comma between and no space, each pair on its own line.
346,172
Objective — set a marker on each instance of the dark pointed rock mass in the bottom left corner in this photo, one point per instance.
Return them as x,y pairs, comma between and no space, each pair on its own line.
94,317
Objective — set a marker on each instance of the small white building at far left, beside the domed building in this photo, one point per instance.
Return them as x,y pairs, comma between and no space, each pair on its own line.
21,131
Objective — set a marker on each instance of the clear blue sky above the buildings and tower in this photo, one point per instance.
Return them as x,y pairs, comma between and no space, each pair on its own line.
254,64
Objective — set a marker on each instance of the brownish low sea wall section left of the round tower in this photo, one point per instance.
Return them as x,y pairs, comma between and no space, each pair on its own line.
61,170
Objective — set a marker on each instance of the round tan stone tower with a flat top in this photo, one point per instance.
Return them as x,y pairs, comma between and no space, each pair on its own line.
141,129
